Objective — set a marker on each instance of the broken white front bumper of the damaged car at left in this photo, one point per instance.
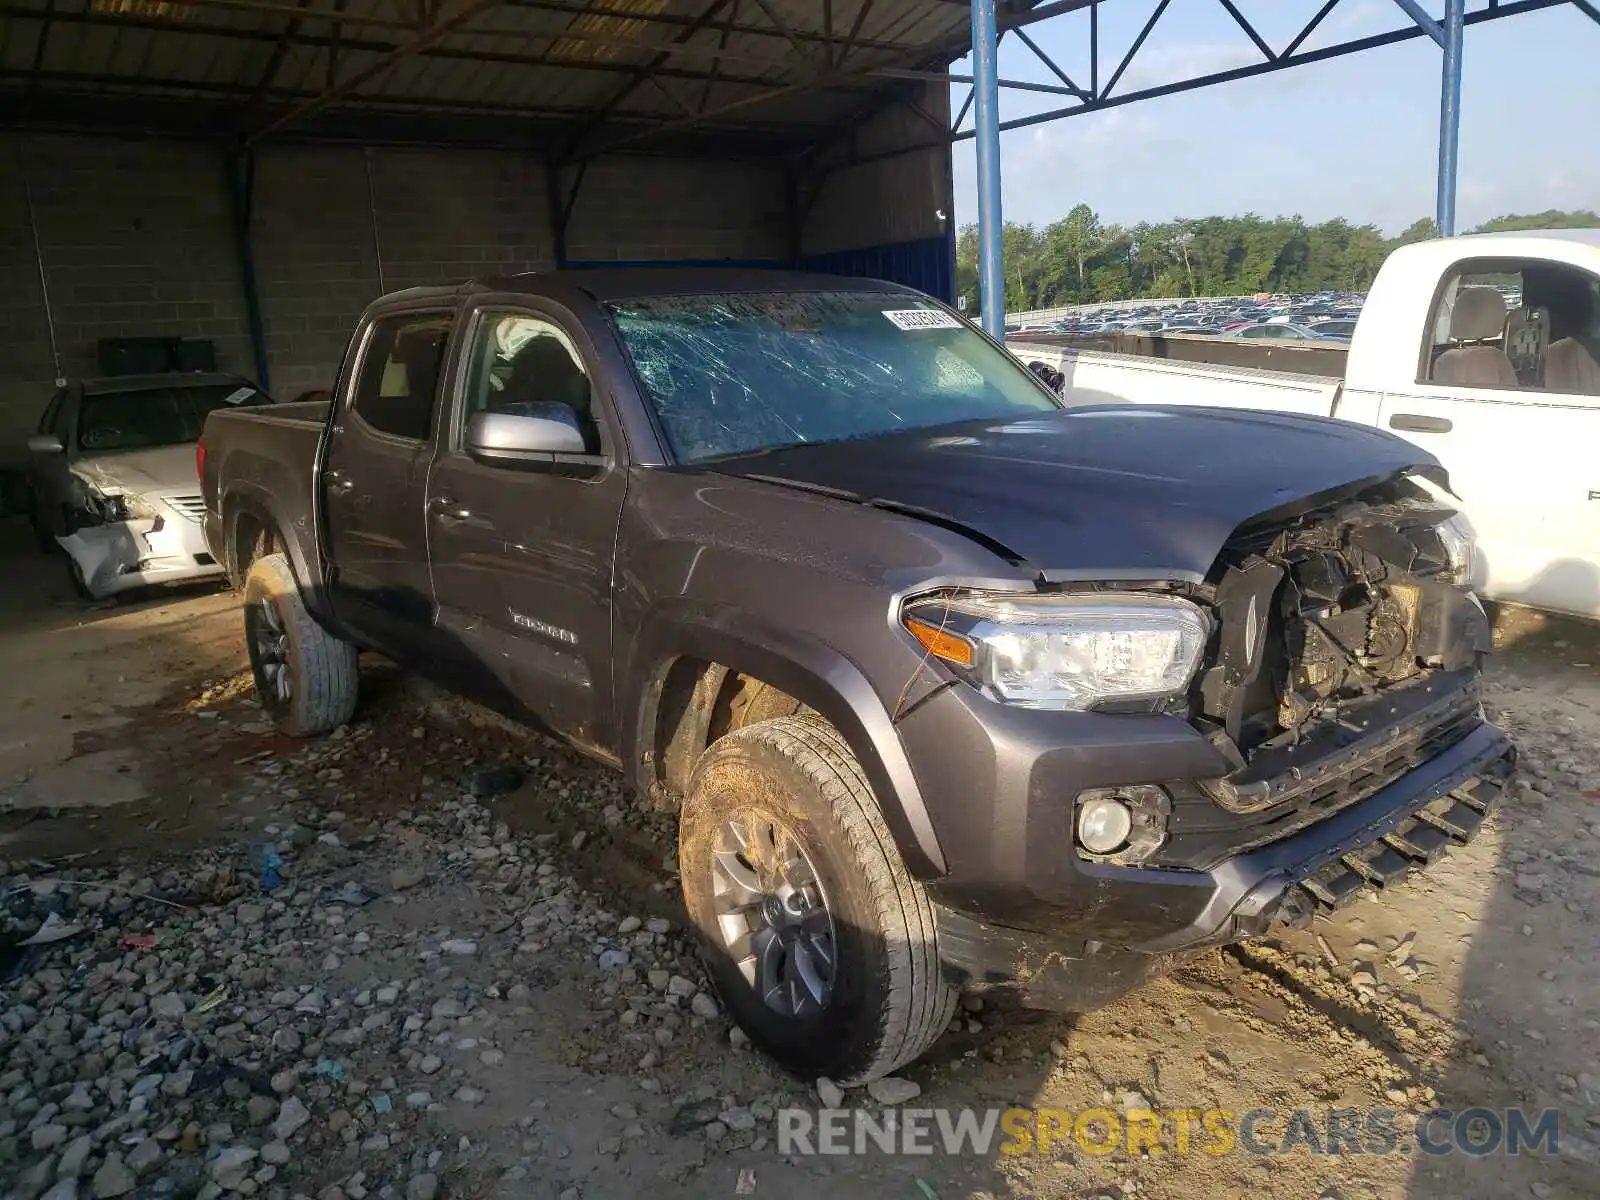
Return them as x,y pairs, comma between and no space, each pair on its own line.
121,556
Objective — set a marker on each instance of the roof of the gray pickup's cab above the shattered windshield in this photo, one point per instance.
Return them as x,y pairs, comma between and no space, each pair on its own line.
614,284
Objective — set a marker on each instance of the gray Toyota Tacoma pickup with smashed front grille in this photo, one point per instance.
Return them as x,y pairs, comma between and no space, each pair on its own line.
954,689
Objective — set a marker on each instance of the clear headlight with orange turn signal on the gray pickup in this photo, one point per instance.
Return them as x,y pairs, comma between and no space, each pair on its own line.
1065,652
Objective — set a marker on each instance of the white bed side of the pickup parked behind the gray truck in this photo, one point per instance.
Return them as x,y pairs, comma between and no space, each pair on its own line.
1098,378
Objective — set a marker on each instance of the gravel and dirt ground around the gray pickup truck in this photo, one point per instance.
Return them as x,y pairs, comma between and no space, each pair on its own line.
468,977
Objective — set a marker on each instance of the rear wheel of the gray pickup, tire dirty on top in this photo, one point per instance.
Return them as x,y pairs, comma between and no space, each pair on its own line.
306,679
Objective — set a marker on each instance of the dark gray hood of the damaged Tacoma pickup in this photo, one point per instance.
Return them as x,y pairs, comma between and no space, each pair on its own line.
1118,492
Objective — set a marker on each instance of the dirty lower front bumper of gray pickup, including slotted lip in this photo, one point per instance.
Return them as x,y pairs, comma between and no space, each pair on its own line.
1377,844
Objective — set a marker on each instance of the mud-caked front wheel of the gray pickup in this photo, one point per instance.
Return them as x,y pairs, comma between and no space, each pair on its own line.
820,942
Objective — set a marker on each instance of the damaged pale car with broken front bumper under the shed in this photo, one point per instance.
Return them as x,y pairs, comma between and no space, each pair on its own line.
113,478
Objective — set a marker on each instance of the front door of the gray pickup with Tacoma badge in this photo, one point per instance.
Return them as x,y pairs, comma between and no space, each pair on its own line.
522,553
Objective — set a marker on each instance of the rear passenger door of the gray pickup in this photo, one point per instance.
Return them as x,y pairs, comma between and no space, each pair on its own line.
374,478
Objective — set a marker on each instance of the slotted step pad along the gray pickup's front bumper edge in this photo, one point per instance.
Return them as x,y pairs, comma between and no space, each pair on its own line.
1418,842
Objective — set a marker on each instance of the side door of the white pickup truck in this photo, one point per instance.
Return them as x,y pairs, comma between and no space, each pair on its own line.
1519,457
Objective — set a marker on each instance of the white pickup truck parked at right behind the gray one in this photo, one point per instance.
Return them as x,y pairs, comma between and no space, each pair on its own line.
1484,350
